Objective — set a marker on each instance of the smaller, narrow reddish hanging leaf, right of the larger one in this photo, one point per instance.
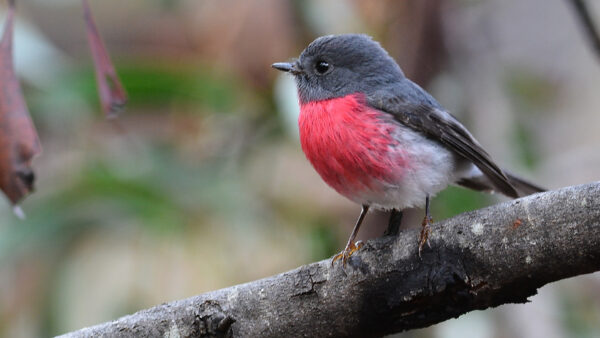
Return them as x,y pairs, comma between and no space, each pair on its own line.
111,92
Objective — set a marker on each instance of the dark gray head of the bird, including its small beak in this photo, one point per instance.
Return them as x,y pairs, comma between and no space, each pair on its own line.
338,65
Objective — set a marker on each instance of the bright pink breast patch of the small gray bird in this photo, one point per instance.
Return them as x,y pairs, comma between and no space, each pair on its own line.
350,145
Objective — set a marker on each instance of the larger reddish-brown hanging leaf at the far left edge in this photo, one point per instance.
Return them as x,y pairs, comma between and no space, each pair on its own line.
19,141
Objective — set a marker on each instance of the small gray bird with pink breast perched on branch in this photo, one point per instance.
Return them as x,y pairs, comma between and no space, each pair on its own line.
381,140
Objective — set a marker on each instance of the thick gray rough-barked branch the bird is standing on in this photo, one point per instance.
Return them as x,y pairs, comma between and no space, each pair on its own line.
480,259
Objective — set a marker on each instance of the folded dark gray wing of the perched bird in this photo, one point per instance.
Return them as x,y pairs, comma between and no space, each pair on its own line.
425,115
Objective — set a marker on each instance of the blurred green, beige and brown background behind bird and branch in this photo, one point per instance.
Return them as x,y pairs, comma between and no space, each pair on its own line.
201,183
